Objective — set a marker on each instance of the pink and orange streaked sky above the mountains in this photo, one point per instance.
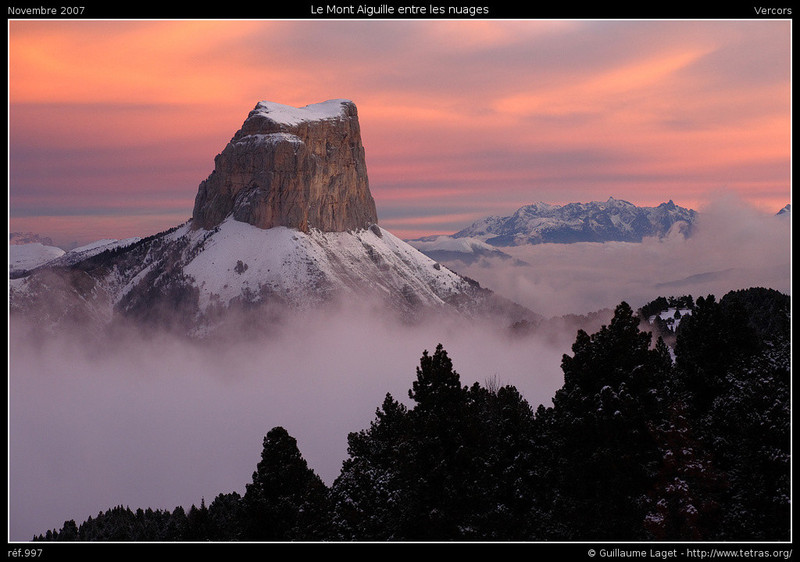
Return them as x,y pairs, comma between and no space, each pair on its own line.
113,125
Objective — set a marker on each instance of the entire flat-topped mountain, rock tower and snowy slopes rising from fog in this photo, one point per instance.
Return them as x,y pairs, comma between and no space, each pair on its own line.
280,226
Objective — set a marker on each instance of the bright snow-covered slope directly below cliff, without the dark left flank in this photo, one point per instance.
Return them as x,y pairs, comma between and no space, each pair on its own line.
238,258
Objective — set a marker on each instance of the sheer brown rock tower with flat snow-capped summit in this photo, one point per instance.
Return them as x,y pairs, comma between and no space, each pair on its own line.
302,168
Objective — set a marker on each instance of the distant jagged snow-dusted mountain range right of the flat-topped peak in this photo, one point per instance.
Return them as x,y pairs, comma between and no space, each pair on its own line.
611,220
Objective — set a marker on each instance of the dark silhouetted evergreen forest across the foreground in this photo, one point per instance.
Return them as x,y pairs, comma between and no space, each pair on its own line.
643,442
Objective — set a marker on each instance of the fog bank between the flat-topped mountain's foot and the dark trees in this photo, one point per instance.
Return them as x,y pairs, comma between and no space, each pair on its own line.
161,423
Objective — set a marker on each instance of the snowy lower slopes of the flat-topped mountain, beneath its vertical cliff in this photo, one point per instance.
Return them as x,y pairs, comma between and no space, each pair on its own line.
198,281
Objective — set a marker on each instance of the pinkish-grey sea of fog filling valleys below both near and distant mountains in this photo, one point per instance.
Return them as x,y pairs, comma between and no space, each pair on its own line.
160,423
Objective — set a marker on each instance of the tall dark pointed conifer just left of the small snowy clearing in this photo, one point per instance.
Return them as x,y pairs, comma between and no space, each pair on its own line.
606,457
